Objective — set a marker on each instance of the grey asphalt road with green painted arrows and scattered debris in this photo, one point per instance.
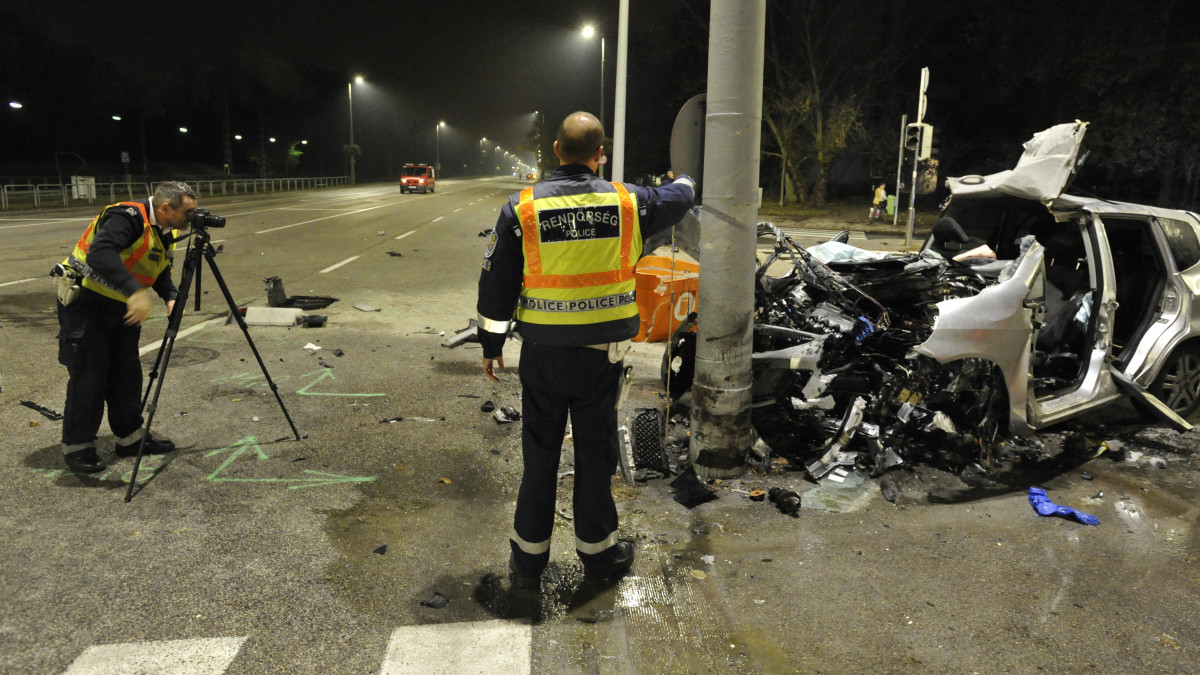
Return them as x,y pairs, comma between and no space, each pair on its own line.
250,552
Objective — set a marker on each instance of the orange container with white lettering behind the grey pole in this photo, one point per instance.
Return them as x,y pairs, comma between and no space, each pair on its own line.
665,296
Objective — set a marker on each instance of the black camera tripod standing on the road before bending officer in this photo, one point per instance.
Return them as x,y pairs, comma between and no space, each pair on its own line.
201,246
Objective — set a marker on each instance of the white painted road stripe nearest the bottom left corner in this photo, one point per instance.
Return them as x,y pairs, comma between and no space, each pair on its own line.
196,658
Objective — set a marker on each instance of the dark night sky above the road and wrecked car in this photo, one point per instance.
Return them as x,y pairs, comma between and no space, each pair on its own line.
1001,70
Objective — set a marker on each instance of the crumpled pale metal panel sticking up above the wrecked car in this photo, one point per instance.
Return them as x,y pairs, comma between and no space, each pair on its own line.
1041,174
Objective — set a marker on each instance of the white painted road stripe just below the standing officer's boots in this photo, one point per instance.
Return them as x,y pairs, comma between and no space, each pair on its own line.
477,647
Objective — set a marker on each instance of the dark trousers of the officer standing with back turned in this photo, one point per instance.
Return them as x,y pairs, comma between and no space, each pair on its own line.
557,383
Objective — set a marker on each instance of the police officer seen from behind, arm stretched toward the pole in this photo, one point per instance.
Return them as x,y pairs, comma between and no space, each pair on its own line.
560,270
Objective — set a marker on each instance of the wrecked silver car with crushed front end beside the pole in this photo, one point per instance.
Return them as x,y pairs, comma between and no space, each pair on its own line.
1024,308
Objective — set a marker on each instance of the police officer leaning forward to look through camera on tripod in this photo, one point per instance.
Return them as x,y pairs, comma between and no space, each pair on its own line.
104,301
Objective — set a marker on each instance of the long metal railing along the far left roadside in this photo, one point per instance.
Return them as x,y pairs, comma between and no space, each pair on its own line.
39,195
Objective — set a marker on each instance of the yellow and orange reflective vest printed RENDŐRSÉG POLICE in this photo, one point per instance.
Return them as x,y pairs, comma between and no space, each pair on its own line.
580,252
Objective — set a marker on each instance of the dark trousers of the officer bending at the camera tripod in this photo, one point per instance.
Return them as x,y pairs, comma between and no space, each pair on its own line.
104,368
